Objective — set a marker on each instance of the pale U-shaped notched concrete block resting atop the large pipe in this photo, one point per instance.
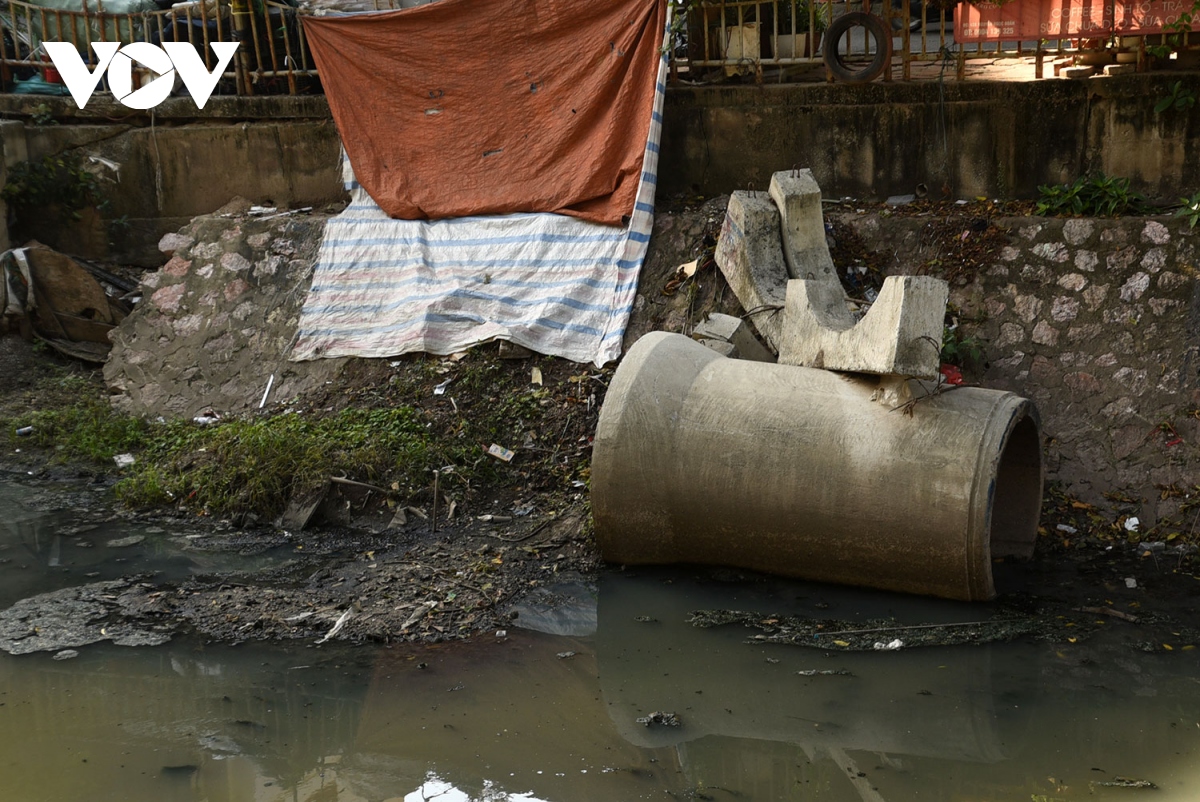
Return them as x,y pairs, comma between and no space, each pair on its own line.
901,334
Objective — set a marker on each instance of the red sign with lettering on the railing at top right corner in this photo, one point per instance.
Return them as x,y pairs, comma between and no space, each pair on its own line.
1034,20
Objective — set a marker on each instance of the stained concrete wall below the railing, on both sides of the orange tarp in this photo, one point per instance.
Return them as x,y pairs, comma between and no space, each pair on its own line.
962,140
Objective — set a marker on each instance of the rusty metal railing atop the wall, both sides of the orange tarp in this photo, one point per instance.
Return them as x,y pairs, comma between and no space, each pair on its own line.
770,39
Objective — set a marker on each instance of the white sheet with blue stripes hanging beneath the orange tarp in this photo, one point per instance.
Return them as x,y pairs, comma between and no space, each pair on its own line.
553,284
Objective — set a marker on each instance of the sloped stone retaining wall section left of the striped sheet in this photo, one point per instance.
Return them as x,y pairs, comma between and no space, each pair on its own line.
217,321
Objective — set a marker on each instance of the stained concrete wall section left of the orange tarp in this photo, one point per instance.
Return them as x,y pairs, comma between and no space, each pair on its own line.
278,152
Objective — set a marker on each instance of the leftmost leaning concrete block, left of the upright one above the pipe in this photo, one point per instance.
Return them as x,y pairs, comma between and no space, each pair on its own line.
751,256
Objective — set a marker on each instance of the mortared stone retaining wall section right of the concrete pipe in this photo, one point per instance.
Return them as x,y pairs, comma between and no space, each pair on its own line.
1097,321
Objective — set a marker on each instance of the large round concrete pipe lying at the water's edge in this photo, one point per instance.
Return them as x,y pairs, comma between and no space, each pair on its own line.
800,472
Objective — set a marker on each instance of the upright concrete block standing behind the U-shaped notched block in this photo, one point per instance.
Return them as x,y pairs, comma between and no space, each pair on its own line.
806,252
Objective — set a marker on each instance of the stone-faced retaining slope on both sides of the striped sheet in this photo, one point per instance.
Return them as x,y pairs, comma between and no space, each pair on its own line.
1099,321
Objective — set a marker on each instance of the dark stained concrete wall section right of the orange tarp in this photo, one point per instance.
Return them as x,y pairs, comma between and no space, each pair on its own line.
962,140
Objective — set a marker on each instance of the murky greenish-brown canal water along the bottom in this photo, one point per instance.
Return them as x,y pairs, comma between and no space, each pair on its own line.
554,717
